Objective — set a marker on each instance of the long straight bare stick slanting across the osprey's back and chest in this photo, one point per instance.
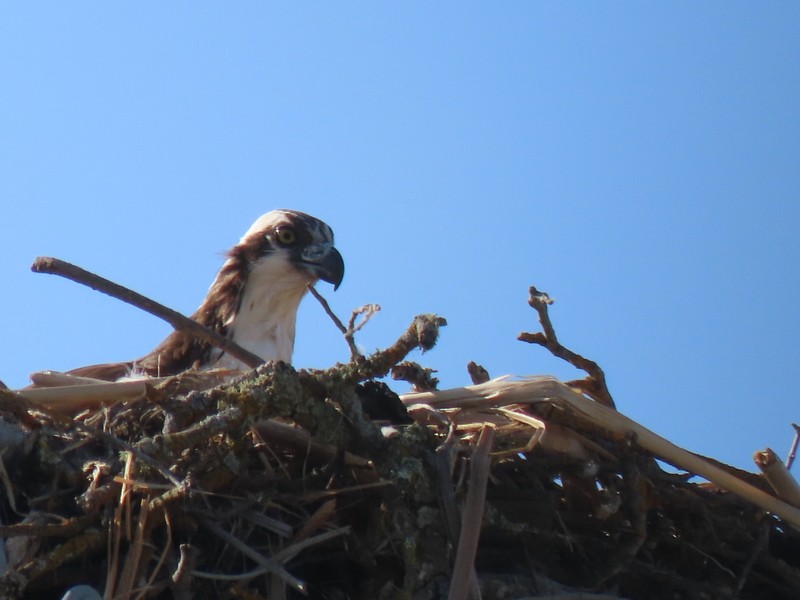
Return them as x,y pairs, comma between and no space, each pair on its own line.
54,266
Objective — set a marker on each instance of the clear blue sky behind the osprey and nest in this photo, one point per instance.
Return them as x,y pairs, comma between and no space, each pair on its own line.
638,161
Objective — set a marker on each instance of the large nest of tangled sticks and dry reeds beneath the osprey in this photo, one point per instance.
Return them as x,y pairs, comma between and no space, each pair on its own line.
326,484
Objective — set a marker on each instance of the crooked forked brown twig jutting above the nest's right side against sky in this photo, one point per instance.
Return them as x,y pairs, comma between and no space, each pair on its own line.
596,387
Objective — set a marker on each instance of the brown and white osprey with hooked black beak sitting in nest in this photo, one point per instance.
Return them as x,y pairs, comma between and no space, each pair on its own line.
253,299
